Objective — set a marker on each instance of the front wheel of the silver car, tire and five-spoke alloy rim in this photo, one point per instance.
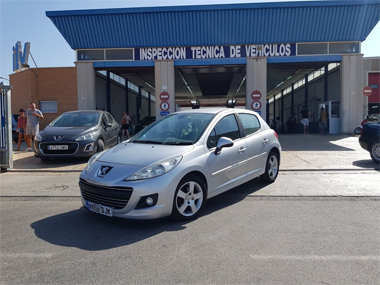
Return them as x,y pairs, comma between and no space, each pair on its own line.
189,198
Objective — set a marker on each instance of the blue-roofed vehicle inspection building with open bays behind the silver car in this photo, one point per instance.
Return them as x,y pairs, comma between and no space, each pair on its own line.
268,57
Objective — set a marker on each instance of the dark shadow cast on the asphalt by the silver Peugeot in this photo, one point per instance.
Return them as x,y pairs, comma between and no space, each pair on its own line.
93,232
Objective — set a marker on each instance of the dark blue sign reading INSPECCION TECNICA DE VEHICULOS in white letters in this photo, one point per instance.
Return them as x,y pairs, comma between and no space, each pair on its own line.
213,52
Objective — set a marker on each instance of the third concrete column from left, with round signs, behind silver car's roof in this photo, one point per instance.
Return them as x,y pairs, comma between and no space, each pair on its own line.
256,81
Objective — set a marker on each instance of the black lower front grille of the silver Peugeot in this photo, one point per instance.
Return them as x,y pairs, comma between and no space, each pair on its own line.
116,197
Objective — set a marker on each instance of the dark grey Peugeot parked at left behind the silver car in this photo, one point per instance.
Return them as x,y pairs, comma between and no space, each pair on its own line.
77,134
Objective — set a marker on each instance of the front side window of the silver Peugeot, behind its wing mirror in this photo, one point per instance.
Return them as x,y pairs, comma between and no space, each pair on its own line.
226,127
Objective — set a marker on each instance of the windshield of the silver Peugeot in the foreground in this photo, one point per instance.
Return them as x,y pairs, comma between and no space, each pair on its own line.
176,129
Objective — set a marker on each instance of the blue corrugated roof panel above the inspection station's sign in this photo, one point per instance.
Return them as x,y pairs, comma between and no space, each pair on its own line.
261,23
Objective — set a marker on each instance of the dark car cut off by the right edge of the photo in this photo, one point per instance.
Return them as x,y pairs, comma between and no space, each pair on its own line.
370,139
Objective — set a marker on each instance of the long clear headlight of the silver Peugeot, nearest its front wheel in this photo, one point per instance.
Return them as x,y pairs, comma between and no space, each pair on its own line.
155,170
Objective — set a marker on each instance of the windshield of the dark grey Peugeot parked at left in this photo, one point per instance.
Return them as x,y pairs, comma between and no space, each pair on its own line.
76,120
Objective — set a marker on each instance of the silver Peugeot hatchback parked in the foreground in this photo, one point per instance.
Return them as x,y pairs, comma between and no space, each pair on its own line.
175,164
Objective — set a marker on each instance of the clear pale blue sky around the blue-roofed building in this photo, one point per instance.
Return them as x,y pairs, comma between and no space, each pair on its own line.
25,21
